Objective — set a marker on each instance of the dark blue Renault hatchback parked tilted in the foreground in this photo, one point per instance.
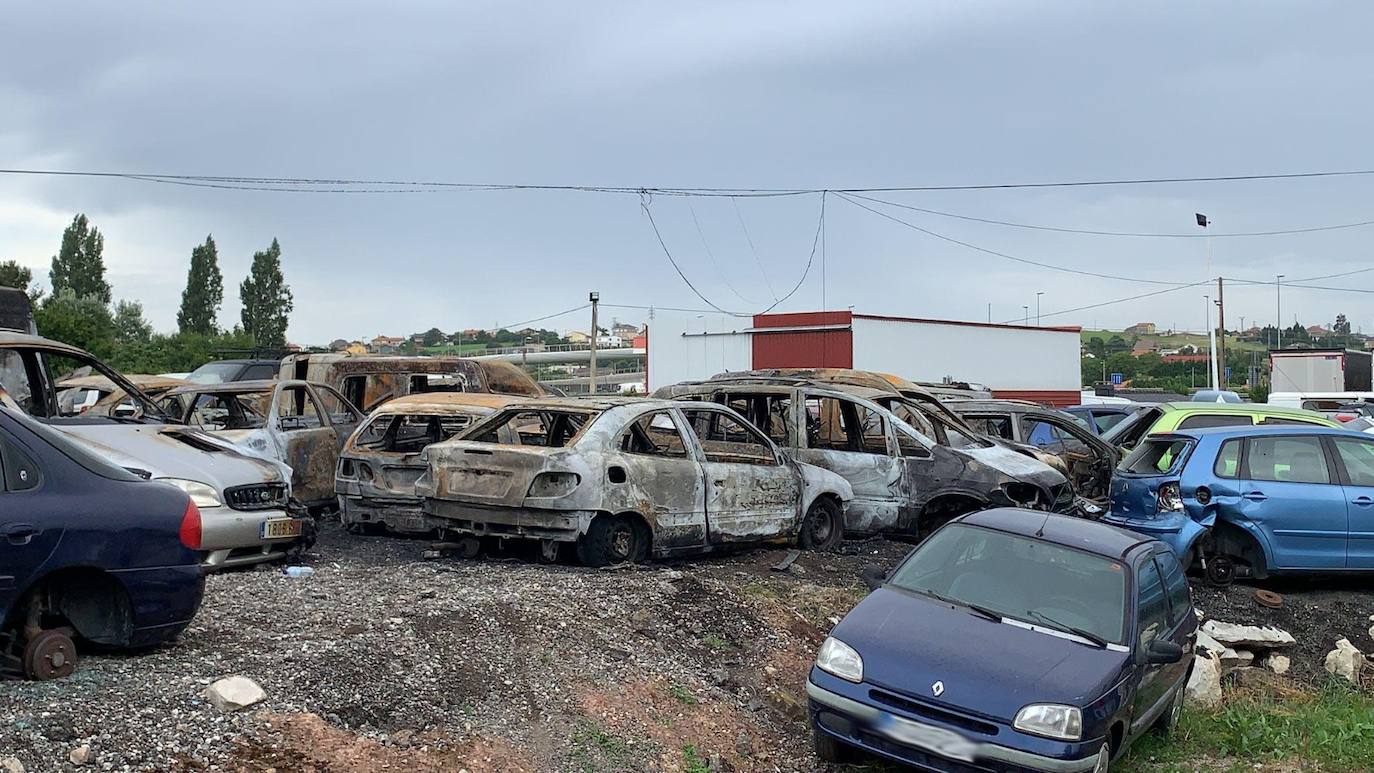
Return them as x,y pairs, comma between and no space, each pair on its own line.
1009,641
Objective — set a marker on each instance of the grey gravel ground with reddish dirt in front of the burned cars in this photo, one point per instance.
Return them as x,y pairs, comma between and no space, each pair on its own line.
384,661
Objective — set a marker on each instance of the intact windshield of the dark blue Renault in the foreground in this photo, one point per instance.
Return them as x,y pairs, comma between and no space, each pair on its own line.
1020,577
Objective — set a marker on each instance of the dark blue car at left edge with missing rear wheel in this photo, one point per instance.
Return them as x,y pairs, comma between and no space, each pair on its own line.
90,554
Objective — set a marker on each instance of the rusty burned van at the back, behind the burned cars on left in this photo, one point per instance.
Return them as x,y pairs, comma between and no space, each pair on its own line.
369,381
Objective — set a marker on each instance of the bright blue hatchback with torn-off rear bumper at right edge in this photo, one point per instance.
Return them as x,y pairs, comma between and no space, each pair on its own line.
1254,502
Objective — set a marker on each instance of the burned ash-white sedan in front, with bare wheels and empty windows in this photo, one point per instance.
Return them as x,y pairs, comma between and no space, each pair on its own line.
627,478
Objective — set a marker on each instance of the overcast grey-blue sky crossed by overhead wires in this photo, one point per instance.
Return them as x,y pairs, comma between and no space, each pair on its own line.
744,95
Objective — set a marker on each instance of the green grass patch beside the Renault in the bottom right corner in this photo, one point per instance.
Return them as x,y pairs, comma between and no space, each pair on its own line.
1332,730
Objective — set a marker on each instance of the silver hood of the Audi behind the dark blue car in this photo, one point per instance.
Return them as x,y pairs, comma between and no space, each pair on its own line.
175,452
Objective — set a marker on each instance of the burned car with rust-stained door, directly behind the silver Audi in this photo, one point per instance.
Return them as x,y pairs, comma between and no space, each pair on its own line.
297,424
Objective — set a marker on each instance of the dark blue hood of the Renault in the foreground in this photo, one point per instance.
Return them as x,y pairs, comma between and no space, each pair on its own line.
909,643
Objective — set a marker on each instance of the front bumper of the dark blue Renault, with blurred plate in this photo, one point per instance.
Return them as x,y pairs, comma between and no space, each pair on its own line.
927,746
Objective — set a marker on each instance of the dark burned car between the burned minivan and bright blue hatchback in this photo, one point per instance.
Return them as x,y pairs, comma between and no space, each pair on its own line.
1085,458
